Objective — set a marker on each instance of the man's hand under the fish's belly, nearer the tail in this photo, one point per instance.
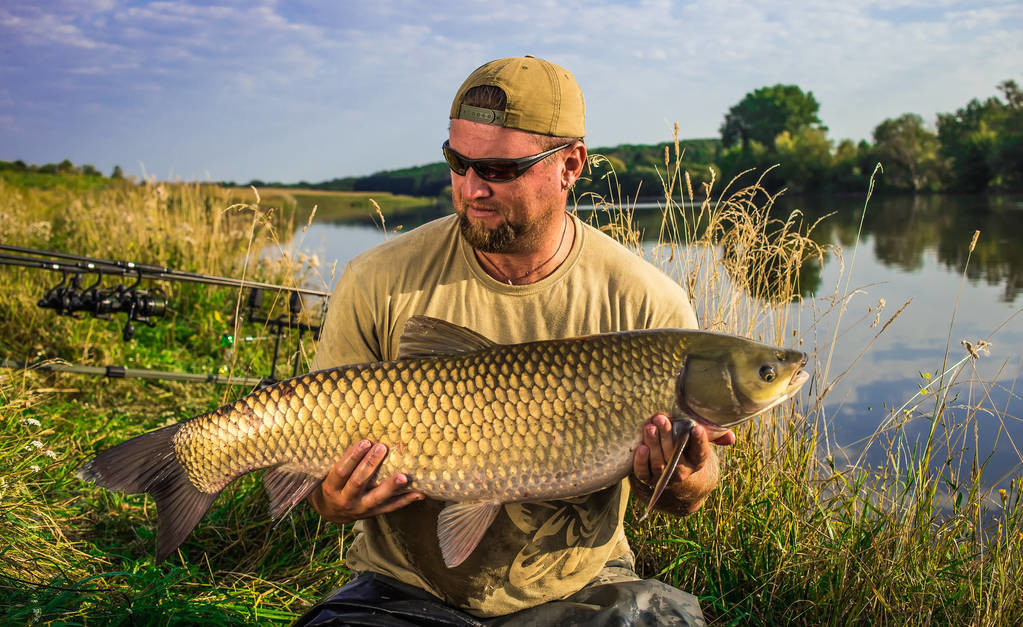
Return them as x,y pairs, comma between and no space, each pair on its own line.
345,495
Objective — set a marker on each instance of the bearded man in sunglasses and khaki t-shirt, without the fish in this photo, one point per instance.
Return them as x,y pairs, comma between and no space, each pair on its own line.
515,266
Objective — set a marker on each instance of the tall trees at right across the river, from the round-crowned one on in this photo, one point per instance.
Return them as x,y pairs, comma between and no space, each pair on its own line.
977,149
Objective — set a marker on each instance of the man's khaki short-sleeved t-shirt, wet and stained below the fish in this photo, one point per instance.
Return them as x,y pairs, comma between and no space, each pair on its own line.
533,553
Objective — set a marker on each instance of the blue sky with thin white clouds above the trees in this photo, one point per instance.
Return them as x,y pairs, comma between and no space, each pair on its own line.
306,91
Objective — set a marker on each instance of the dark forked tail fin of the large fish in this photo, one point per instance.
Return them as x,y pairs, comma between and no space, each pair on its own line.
148,464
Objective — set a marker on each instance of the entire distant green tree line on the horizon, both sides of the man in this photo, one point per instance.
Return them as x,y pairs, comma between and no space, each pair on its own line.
776,132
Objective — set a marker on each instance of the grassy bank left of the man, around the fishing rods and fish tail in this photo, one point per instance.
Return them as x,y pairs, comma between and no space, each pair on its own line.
76,555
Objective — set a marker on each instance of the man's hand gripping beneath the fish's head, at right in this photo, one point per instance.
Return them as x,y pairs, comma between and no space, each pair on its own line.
697,473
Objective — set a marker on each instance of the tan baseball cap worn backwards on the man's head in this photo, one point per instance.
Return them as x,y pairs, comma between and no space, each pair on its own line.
543,98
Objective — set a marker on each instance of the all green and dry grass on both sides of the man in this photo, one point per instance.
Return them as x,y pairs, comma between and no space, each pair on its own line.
795,533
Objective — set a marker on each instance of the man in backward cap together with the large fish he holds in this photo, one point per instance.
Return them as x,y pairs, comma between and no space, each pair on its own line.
512,359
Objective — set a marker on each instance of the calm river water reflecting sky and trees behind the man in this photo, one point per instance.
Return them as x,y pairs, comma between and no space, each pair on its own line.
911,248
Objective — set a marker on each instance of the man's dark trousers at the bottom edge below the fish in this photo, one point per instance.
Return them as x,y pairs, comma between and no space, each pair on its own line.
616,597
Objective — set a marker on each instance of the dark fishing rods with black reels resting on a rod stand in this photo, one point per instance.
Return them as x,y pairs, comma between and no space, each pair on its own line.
70,298
